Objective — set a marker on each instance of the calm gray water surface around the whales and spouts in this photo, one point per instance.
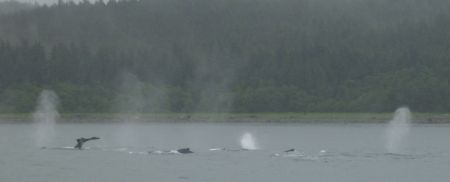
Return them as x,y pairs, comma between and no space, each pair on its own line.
354,152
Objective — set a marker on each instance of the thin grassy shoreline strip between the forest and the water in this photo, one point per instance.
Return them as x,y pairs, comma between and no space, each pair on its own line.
417,118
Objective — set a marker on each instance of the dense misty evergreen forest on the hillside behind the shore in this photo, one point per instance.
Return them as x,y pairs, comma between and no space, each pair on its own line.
228,55
